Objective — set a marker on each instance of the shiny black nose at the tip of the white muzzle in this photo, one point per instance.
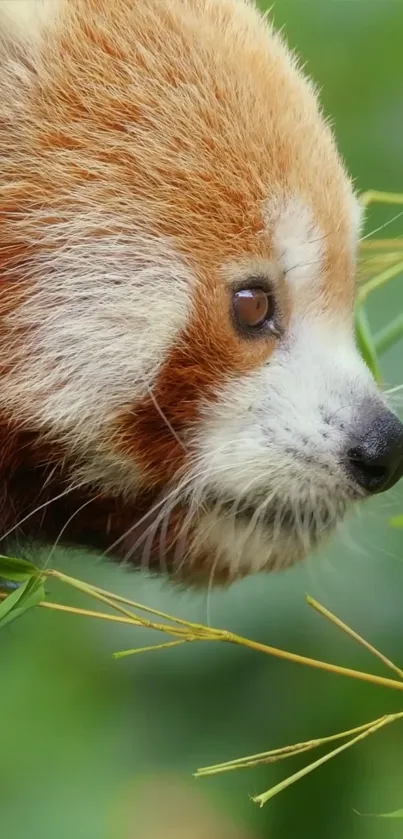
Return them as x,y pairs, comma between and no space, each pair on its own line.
375,461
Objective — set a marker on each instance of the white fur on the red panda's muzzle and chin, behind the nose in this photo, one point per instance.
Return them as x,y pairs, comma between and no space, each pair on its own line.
277,437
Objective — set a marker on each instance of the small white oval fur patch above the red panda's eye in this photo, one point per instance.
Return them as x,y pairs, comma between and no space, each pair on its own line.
298,243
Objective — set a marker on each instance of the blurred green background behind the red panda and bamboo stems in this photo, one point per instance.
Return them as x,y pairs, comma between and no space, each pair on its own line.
93,748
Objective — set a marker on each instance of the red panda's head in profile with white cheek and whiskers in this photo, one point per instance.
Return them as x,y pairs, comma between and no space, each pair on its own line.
180,386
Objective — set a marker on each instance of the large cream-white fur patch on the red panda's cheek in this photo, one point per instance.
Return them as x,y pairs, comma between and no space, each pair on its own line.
102,314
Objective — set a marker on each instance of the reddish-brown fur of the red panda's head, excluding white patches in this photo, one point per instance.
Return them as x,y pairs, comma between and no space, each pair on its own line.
198,171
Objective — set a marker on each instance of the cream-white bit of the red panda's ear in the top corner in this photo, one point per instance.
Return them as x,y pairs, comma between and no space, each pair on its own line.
22,22
